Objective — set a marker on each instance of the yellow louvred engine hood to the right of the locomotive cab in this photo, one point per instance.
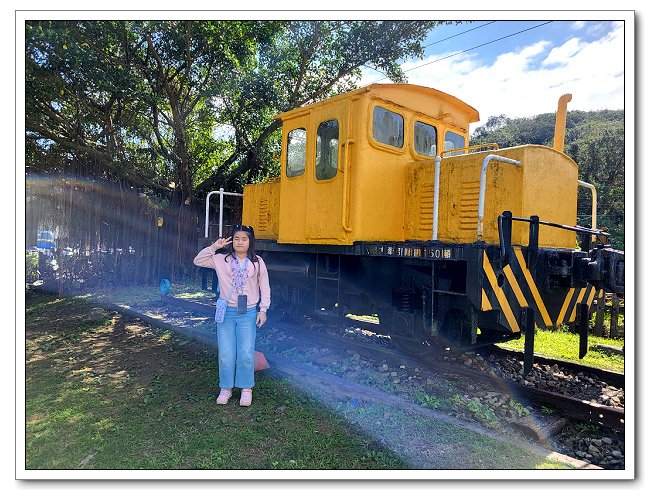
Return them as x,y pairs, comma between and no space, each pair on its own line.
525,190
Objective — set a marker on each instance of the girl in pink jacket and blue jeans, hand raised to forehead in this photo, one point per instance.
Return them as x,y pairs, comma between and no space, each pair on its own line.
243,281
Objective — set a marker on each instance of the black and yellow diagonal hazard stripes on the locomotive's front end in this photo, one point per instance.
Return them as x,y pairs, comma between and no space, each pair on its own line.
518,289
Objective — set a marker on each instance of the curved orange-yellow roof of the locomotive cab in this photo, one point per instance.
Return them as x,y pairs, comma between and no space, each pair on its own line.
379,88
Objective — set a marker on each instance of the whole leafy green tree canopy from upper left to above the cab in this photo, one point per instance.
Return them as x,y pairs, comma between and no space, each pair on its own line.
182,106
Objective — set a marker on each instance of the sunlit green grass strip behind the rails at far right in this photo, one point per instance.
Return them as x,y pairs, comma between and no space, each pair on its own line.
564,345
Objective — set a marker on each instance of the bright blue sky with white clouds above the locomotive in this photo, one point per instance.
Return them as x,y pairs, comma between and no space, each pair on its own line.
521,68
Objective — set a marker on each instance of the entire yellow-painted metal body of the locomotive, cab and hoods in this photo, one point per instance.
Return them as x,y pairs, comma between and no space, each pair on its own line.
385,193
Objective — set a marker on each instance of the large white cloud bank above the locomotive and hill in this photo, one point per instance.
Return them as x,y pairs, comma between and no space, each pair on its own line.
529,81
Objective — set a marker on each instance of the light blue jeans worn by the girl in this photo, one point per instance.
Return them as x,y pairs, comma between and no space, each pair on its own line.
236,343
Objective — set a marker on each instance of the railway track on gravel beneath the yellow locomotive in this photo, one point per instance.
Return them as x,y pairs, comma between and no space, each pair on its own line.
436,365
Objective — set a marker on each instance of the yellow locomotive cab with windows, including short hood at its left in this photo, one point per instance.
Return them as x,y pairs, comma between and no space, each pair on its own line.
344,162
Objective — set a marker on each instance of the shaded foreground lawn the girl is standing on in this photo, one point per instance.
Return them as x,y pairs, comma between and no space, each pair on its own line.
105,391
